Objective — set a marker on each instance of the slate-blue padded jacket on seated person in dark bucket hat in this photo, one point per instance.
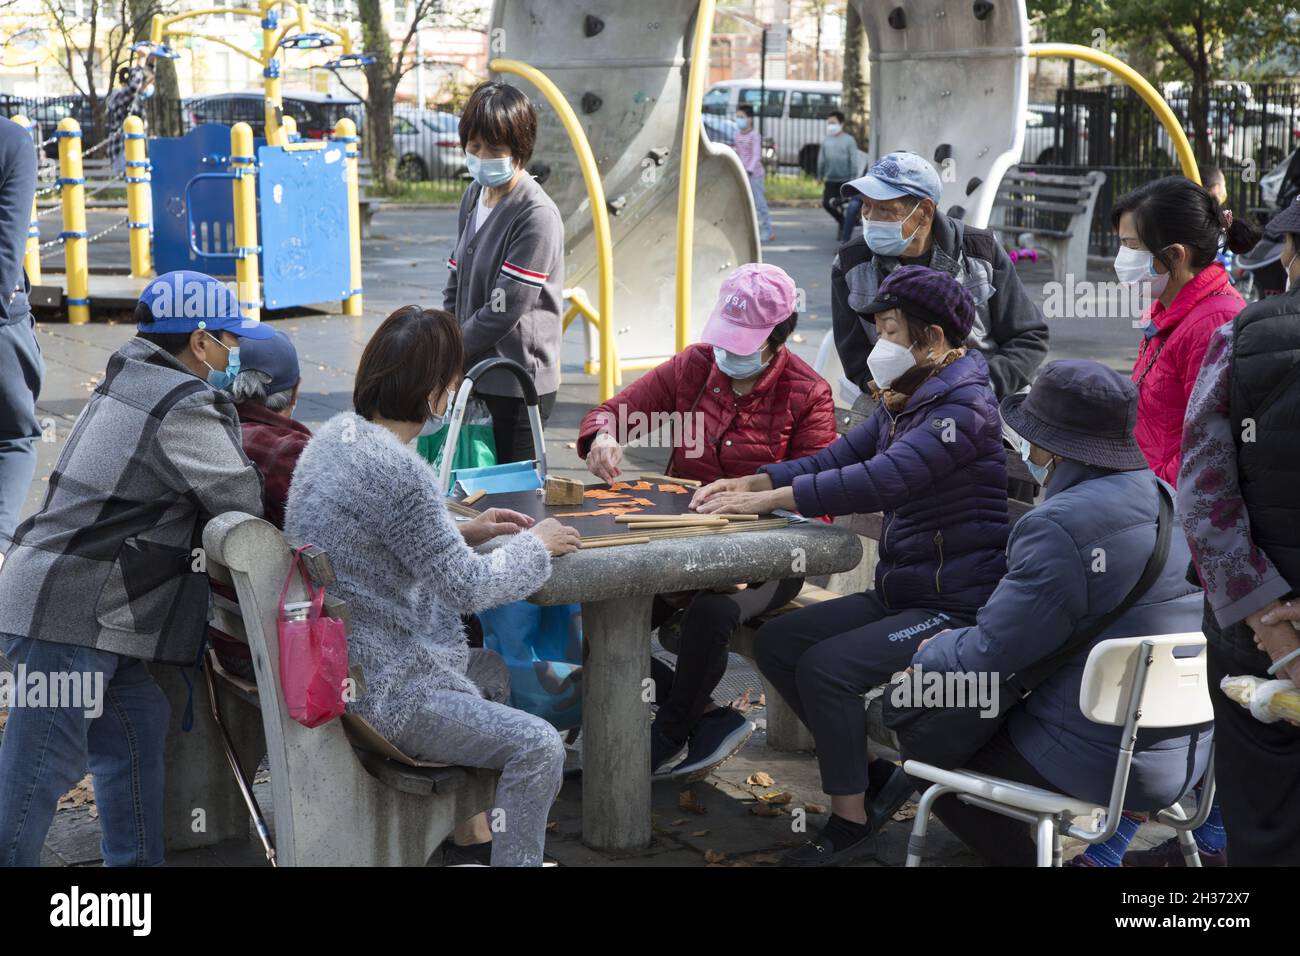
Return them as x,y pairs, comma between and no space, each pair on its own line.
1073,560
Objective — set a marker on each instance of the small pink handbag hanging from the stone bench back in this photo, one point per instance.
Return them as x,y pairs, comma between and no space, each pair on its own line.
313,656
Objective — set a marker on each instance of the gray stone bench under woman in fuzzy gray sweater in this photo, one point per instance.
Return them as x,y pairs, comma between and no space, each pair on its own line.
335,803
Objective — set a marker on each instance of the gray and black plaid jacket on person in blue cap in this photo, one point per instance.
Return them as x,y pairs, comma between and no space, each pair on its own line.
107,561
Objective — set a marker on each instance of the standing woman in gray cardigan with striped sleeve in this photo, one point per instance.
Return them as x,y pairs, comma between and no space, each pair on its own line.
506,283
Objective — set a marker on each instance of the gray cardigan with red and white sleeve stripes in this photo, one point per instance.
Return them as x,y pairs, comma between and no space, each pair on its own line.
506,285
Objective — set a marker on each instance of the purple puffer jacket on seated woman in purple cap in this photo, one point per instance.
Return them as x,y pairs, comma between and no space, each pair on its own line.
938,471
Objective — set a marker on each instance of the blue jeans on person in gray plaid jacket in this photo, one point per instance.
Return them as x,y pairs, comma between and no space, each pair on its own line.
46,750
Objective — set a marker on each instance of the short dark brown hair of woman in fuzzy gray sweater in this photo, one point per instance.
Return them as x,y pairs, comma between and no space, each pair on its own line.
413,354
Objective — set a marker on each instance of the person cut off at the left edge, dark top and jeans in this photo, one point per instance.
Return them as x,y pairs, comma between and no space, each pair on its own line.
21,367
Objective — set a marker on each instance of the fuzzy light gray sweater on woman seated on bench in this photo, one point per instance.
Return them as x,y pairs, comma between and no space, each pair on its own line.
402,565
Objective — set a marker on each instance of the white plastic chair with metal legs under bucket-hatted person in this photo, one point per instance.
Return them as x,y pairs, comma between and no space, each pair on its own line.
1130,684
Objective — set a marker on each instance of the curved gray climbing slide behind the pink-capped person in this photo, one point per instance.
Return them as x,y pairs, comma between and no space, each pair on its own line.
623,67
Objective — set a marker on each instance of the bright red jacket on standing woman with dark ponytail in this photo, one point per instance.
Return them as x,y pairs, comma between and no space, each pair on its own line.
1171,358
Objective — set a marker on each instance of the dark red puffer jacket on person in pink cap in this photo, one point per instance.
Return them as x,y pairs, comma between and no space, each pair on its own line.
790,414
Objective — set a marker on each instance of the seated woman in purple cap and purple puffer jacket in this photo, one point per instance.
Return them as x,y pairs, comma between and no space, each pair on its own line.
931,460
